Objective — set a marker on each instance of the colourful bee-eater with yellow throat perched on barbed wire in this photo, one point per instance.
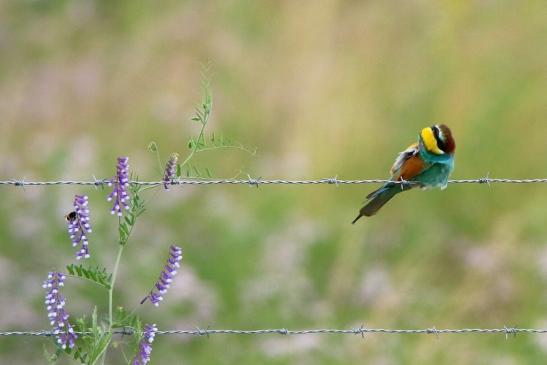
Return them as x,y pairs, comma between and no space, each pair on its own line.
425,164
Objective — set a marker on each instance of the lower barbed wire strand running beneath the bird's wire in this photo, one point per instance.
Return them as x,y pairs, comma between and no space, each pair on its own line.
283,331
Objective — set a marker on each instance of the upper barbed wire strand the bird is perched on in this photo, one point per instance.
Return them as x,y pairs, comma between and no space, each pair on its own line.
259,181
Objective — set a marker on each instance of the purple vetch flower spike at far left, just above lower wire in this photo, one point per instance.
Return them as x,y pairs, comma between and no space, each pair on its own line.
55,305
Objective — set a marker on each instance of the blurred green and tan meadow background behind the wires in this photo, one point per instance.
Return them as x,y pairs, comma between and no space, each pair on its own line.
320,88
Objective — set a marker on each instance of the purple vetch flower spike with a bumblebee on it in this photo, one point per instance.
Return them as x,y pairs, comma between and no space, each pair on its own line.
78,225
